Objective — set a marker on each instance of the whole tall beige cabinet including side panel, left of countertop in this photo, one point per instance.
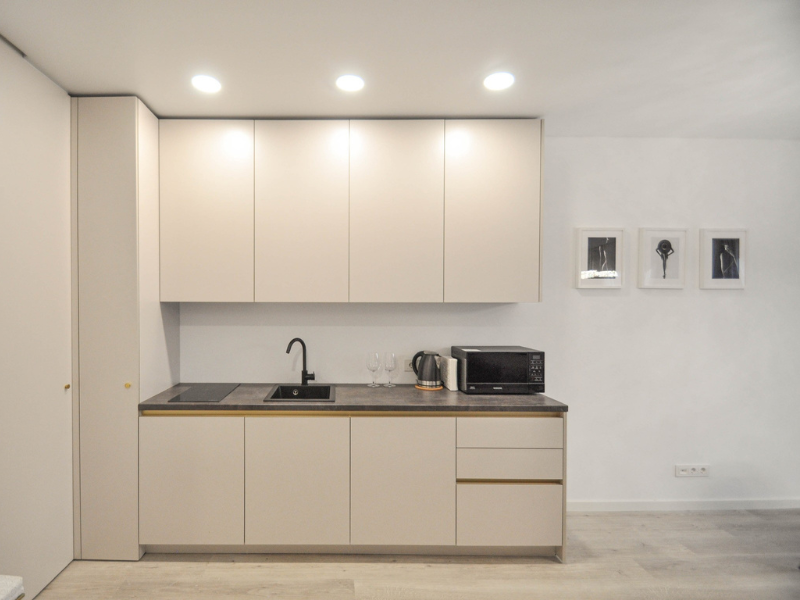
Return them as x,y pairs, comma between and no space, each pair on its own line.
127,340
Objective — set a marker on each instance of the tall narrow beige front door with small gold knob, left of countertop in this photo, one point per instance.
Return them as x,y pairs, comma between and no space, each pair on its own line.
108,311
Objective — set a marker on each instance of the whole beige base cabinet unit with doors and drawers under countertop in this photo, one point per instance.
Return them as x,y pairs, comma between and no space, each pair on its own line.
390,484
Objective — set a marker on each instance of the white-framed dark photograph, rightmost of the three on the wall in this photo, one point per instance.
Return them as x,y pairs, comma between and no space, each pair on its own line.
722,258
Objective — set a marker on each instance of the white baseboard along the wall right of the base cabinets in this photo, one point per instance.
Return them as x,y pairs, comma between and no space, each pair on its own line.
677,505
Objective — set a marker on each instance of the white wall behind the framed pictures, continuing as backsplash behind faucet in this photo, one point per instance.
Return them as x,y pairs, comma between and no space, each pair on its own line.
652,377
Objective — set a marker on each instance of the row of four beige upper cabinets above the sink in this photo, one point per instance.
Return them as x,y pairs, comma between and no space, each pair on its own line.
361,211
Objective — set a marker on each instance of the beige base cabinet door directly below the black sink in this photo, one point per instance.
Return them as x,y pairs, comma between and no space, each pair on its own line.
297,488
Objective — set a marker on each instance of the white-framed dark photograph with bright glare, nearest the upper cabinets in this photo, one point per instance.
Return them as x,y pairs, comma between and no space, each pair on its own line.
600,255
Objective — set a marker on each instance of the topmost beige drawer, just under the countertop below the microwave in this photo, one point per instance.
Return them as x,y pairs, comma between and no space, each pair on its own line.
510,432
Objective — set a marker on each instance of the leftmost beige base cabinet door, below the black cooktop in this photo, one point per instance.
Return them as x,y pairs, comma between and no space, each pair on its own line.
191,480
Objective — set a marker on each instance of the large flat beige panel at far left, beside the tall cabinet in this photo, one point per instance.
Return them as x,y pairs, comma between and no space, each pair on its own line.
35,363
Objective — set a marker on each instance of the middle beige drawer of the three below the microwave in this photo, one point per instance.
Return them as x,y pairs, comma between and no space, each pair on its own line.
503,463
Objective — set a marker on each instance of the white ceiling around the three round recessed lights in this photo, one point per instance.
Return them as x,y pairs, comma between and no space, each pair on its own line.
668,68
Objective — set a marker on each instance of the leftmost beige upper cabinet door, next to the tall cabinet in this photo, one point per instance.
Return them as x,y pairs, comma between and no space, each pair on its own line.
207,222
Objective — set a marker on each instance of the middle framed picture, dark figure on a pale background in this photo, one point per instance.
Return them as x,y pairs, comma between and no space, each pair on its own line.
662,258
